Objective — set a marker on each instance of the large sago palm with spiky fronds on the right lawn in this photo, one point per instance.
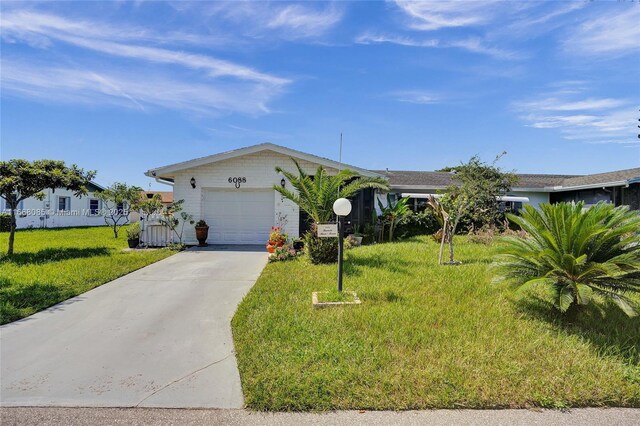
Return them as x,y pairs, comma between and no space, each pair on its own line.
578,252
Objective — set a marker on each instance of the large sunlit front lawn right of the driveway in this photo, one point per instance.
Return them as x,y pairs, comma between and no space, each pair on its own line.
426,336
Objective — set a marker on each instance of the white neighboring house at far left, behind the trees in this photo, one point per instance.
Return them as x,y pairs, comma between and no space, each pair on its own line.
60,208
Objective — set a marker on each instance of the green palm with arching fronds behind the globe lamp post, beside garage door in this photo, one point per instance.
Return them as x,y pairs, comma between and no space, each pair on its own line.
316,194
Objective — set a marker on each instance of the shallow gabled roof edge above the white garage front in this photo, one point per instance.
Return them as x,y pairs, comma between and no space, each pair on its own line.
170,170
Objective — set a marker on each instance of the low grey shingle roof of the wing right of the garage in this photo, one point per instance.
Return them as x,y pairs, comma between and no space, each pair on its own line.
441,180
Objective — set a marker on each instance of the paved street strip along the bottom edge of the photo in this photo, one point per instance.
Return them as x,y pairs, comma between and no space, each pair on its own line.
141,416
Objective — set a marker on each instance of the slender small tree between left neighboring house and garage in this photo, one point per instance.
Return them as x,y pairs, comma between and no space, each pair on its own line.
117,202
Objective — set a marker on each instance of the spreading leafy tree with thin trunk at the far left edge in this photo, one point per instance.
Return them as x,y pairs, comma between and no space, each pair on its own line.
21,179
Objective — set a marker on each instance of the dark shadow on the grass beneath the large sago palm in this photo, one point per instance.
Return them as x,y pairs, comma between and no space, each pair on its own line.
602,324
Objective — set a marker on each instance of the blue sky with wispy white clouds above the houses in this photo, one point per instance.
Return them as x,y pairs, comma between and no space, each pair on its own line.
123,87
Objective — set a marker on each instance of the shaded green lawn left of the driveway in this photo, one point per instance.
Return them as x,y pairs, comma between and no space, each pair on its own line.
52,265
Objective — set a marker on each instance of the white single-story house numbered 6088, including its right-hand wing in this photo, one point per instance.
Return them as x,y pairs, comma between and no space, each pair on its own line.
233,191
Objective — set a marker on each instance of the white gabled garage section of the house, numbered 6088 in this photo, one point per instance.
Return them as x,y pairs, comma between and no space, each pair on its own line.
233,192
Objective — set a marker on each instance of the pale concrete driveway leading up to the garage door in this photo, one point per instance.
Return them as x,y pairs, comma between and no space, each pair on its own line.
158,337
